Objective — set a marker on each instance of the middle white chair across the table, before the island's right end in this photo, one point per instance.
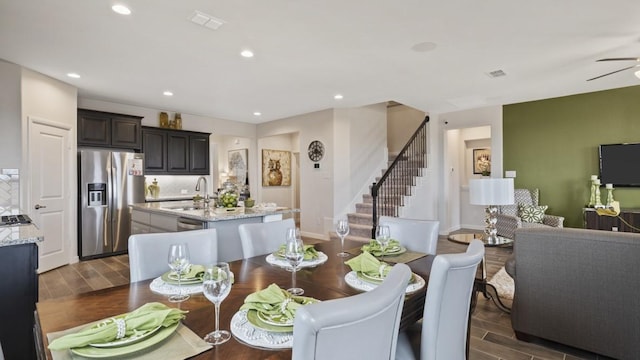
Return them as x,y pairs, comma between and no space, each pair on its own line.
263,238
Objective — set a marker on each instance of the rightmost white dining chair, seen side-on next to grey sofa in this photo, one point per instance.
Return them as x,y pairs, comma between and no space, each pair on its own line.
444,330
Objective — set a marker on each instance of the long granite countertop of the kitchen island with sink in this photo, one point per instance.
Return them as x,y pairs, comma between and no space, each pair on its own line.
188,210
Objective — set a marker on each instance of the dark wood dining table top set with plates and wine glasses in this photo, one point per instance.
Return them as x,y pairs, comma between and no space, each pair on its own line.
323,282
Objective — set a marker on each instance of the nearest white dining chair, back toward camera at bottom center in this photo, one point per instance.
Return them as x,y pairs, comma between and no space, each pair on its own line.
363,326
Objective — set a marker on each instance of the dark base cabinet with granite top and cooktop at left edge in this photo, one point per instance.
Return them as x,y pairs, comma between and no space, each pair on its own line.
19,287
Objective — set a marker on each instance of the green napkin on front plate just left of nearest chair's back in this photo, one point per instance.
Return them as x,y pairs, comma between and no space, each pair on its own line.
275,301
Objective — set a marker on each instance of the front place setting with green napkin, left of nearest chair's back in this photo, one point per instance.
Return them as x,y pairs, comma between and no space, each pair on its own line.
265,320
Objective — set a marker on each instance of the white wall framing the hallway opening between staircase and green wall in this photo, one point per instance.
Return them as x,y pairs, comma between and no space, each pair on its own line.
452,152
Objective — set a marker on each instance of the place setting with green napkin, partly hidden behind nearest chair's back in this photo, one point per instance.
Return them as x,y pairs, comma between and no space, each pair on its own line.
368,272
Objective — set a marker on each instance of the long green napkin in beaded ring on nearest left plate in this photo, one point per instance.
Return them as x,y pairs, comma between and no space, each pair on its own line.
144,318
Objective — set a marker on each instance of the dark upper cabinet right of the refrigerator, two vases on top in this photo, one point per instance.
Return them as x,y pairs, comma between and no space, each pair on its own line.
175,152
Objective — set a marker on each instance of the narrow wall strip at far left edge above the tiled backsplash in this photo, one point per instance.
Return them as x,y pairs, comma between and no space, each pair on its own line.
10,142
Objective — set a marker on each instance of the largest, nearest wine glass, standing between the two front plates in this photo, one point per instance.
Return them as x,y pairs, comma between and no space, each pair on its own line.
216,285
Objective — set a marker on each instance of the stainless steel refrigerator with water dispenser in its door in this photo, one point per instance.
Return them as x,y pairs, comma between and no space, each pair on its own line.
108,181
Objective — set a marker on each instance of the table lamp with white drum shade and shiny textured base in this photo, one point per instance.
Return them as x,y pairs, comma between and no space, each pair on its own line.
491,193
